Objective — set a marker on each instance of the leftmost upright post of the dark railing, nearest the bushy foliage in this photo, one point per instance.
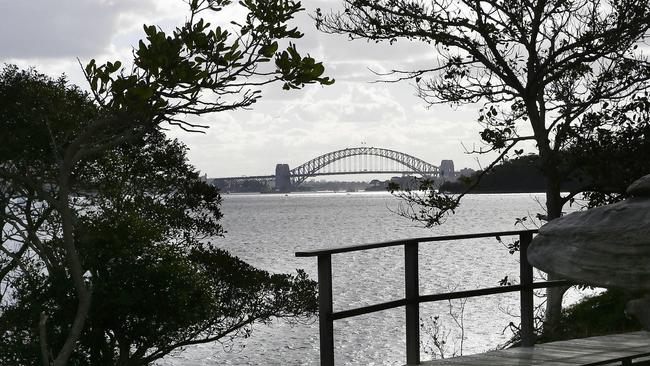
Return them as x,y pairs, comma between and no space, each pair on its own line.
325,309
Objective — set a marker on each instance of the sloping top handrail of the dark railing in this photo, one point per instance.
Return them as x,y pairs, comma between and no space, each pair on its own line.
394,243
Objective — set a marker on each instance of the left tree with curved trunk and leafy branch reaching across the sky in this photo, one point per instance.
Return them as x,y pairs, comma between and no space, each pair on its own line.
197,69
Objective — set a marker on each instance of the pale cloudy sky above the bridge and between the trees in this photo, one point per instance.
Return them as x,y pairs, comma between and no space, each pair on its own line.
289,127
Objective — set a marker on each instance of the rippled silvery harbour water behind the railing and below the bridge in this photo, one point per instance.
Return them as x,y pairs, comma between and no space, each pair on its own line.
266,231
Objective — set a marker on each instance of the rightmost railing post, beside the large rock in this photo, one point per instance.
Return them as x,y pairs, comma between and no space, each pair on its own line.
526,292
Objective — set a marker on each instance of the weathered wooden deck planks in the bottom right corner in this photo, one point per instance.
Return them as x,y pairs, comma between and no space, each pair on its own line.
620,349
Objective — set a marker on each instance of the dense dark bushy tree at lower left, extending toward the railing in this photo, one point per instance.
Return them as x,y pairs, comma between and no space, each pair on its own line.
142,231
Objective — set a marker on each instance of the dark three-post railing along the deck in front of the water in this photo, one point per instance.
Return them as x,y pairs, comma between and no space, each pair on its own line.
412,298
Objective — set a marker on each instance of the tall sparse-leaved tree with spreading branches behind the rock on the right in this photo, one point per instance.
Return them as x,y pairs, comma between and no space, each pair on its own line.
538,67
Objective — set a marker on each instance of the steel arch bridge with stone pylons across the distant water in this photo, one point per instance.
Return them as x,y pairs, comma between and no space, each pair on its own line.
356,160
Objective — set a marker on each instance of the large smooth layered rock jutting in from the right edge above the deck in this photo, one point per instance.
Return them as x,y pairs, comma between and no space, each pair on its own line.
607,246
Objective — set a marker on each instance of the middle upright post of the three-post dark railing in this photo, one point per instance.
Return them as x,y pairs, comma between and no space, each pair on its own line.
412,287
